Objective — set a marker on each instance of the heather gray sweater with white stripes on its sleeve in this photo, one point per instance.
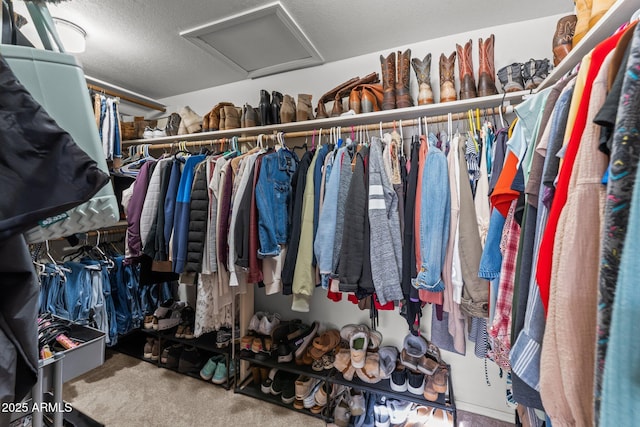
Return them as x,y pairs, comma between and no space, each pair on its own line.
385,238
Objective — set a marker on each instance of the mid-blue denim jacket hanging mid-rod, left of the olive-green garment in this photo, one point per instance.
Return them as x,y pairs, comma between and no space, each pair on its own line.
273,195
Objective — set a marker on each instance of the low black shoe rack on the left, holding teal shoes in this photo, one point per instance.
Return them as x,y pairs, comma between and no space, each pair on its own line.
132,344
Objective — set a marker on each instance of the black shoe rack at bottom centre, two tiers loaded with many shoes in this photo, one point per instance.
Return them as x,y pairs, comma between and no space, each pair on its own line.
246,386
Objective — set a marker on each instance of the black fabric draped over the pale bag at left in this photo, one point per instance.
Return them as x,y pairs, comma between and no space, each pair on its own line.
40,160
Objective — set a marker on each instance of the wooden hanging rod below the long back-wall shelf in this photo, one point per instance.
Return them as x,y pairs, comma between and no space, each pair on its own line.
301,134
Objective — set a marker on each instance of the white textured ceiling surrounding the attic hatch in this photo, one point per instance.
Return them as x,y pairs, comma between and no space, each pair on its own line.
135,44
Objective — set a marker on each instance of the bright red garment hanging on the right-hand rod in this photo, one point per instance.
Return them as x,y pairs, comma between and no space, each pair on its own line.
545,256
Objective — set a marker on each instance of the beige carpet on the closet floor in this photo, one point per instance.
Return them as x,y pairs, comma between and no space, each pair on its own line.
129,392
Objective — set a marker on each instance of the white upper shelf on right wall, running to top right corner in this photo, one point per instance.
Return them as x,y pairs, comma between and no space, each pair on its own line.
619,14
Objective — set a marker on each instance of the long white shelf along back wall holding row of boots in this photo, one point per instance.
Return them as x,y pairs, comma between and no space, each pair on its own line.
502,99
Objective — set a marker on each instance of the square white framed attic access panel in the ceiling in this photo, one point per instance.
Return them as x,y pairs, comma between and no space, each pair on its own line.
257,42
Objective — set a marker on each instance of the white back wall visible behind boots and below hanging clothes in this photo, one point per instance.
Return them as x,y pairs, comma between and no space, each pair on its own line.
514,43
